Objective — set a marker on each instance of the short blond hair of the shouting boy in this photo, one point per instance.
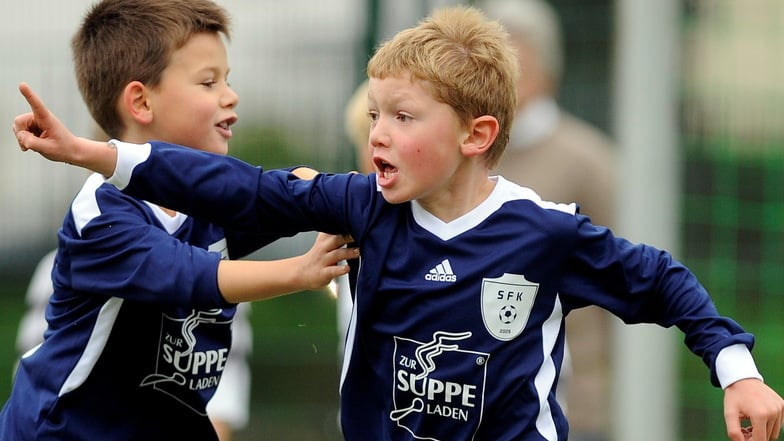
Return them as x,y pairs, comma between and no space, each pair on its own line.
466,62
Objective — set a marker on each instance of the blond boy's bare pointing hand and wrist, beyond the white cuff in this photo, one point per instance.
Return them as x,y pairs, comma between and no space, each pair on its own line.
41,131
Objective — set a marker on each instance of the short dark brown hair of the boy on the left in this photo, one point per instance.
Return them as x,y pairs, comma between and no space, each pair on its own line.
121,41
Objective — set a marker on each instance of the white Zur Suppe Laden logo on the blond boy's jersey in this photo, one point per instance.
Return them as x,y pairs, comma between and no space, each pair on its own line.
437,381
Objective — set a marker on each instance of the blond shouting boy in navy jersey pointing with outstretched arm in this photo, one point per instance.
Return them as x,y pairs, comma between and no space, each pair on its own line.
457,331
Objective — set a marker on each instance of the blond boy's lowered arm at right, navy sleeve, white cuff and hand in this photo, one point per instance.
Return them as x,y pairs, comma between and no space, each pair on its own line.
641,284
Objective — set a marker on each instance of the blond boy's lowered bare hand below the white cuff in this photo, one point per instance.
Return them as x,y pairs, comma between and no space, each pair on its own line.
753,401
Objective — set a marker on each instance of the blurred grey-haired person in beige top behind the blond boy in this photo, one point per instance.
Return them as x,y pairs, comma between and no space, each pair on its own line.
564,159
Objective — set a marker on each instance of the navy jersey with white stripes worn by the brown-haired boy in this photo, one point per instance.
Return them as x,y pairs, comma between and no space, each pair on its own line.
138,333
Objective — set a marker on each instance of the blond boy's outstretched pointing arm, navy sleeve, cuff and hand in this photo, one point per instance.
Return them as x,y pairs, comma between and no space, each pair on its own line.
288,205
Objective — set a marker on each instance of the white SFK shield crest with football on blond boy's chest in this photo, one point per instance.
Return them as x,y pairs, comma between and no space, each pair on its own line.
506,305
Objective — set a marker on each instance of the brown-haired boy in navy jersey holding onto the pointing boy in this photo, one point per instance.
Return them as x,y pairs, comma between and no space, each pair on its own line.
139,324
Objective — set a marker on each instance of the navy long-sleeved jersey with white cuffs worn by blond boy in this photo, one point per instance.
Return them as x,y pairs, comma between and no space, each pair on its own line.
458,328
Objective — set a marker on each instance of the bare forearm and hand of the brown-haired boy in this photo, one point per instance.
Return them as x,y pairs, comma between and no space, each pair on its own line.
246,280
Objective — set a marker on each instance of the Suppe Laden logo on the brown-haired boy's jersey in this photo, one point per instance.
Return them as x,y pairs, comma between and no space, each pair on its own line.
189,367
